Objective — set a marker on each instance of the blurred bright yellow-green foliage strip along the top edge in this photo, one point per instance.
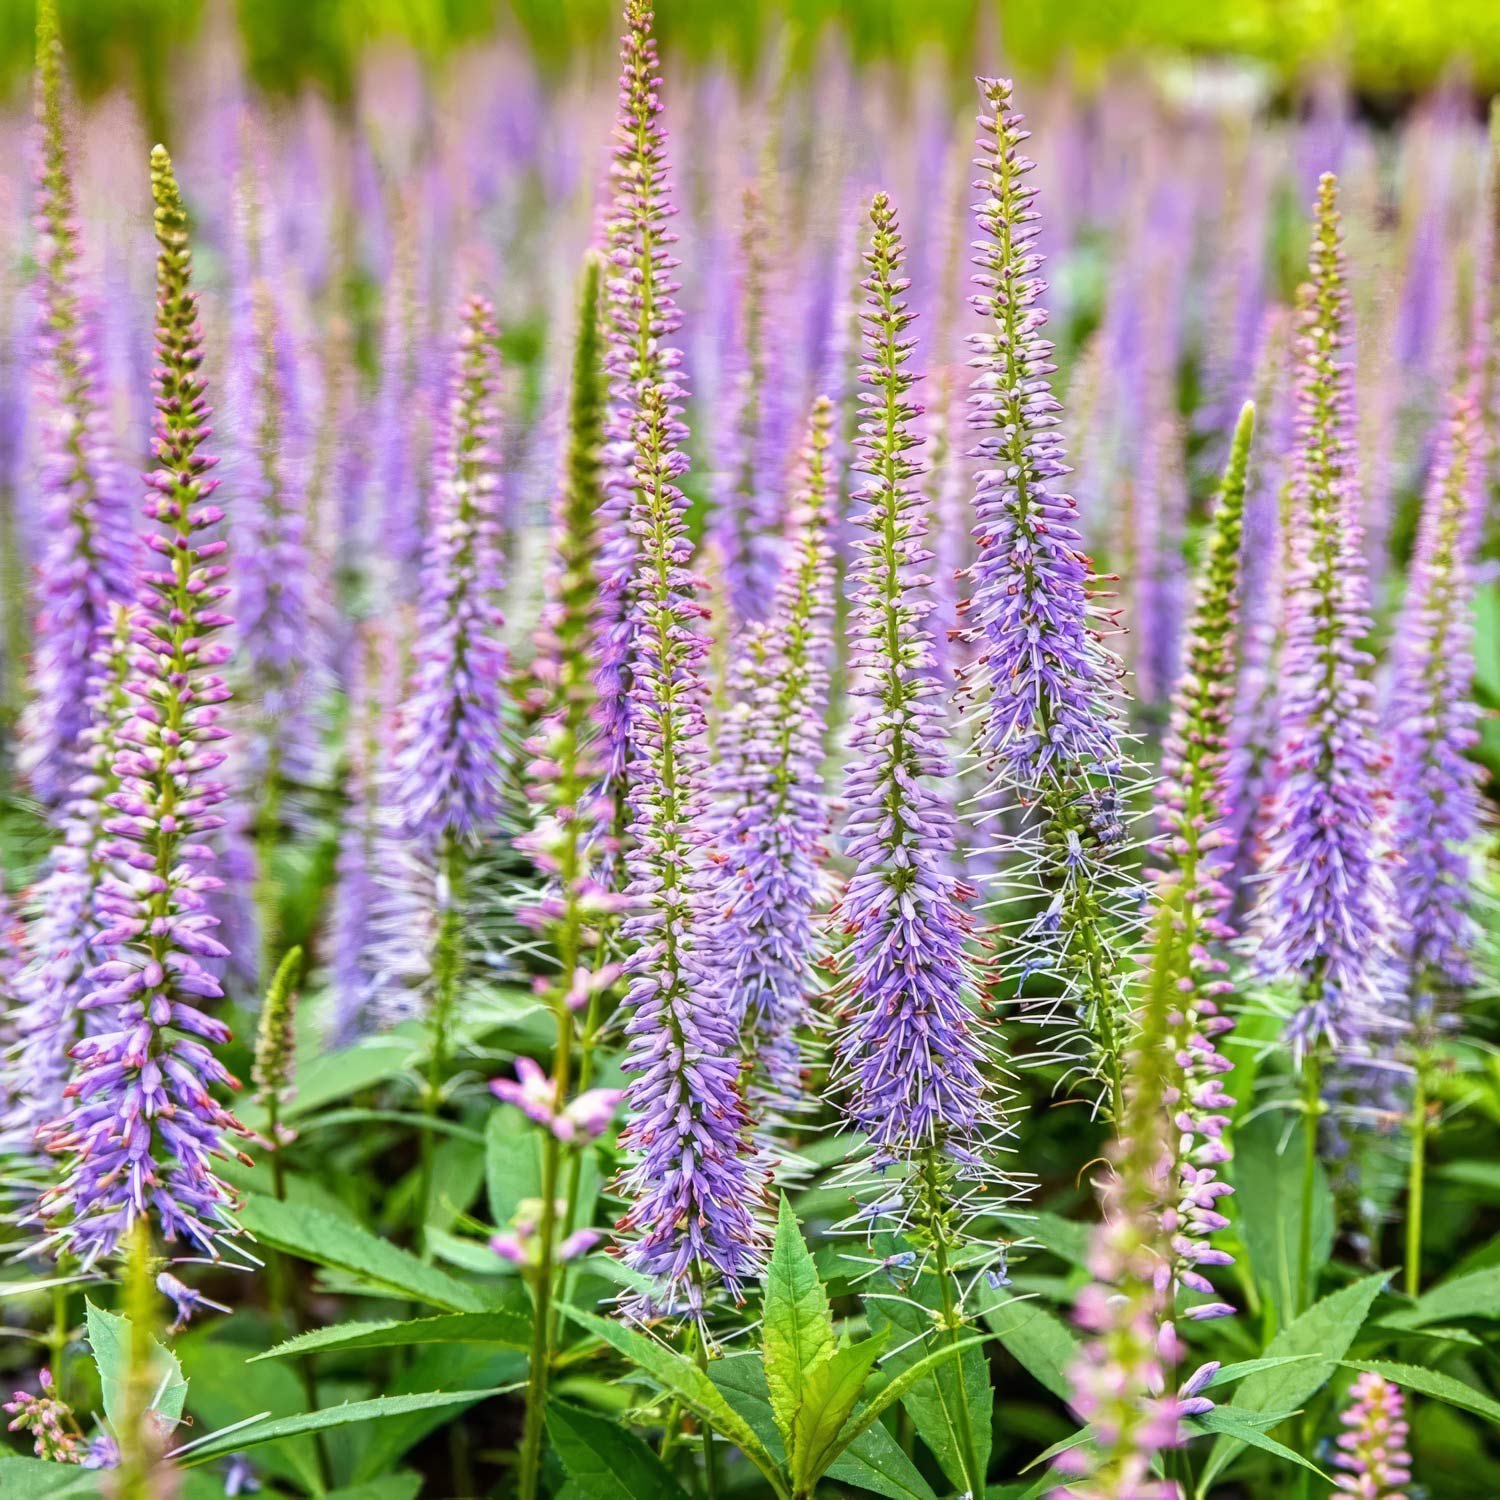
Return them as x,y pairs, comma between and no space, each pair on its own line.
1390,49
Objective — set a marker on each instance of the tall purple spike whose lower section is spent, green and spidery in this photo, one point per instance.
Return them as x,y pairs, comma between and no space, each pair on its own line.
1045,683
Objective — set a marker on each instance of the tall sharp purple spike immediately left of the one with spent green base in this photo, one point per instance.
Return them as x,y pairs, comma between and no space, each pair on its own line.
908,1051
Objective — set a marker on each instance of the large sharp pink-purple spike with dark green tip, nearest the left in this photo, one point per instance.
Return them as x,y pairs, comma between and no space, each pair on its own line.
143,1132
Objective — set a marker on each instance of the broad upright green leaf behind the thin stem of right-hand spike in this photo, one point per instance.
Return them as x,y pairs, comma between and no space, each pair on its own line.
1268,1210
